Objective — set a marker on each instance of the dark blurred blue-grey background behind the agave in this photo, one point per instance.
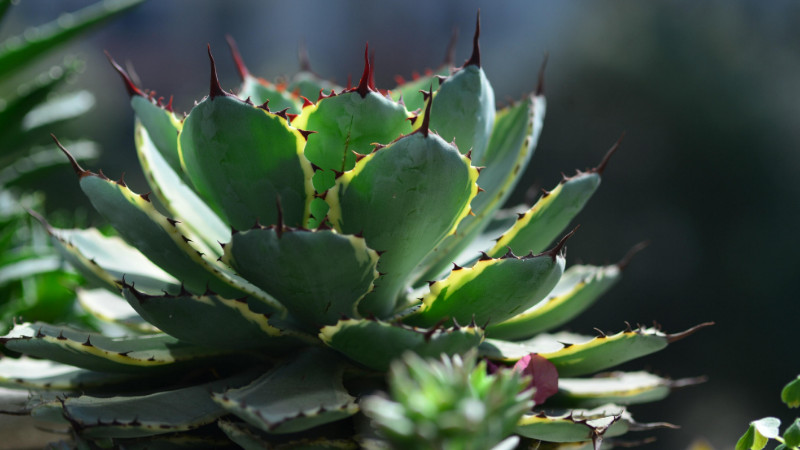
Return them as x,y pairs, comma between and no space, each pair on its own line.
707,92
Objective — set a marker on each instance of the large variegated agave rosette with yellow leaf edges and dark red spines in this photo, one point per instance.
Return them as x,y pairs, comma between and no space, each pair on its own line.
291,250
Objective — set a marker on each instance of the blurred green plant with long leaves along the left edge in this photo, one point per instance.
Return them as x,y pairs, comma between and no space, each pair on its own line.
35,283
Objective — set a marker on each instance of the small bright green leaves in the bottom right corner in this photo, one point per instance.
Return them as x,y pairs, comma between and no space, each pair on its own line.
762,430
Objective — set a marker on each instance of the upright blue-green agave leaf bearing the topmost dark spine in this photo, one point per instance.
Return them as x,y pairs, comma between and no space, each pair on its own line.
463,110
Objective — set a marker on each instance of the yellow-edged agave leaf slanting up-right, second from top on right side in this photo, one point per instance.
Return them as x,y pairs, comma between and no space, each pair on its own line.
537,228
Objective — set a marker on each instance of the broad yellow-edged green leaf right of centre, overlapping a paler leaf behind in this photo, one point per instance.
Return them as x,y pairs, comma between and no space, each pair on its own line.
493,290
